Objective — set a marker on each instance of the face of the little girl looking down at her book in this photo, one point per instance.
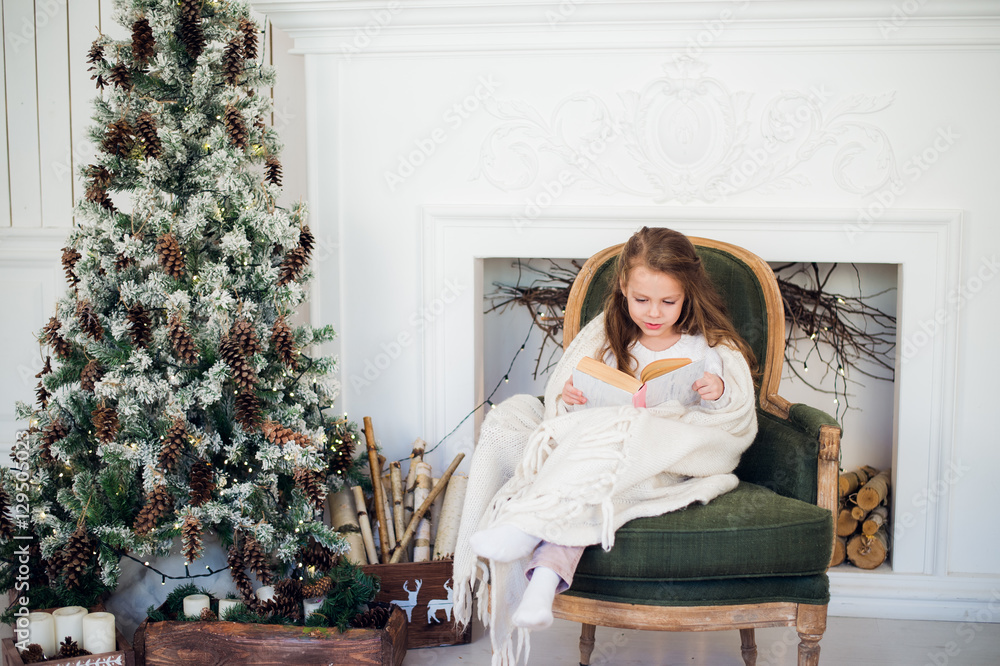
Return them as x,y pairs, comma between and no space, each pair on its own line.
654,304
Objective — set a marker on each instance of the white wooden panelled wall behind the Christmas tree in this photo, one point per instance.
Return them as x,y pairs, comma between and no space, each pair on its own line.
46,102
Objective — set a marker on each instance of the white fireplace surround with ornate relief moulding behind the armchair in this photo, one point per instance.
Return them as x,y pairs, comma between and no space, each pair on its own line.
442,134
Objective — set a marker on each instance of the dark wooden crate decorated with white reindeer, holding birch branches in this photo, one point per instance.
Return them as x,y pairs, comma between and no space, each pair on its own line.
424,590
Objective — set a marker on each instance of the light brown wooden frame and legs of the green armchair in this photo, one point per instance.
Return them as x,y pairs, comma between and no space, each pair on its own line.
808,619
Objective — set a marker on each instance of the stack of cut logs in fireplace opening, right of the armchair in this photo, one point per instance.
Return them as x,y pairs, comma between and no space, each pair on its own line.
863,522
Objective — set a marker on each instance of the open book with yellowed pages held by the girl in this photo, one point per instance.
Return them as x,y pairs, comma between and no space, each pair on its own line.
660,381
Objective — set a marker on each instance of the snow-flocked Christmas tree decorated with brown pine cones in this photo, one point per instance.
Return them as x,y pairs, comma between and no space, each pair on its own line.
177,397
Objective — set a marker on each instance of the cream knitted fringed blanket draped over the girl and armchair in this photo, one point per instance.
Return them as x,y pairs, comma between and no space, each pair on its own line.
573,478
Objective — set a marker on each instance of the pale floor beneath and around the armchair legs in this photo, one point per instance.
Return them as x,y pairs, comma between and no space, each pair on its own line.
847,642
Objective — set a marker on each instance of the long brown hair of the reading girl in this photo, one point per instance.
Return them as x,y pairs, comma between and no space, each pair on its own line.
703,312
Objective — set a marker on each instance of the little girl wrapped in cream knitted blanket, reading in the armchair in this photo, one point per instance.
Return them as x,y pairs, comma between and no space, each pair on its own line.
546,484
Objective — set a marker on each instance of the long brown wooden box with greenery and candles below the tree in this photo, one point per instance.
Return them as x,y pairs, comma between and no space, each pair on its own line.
173,643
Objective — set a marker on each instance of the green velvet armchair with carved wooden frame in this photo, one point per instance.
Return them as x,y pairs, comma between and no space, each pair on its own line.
755,557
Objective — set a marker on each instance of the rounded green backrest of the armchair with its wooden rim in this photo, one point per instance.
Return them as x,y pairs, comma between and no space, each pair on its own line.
748,289
